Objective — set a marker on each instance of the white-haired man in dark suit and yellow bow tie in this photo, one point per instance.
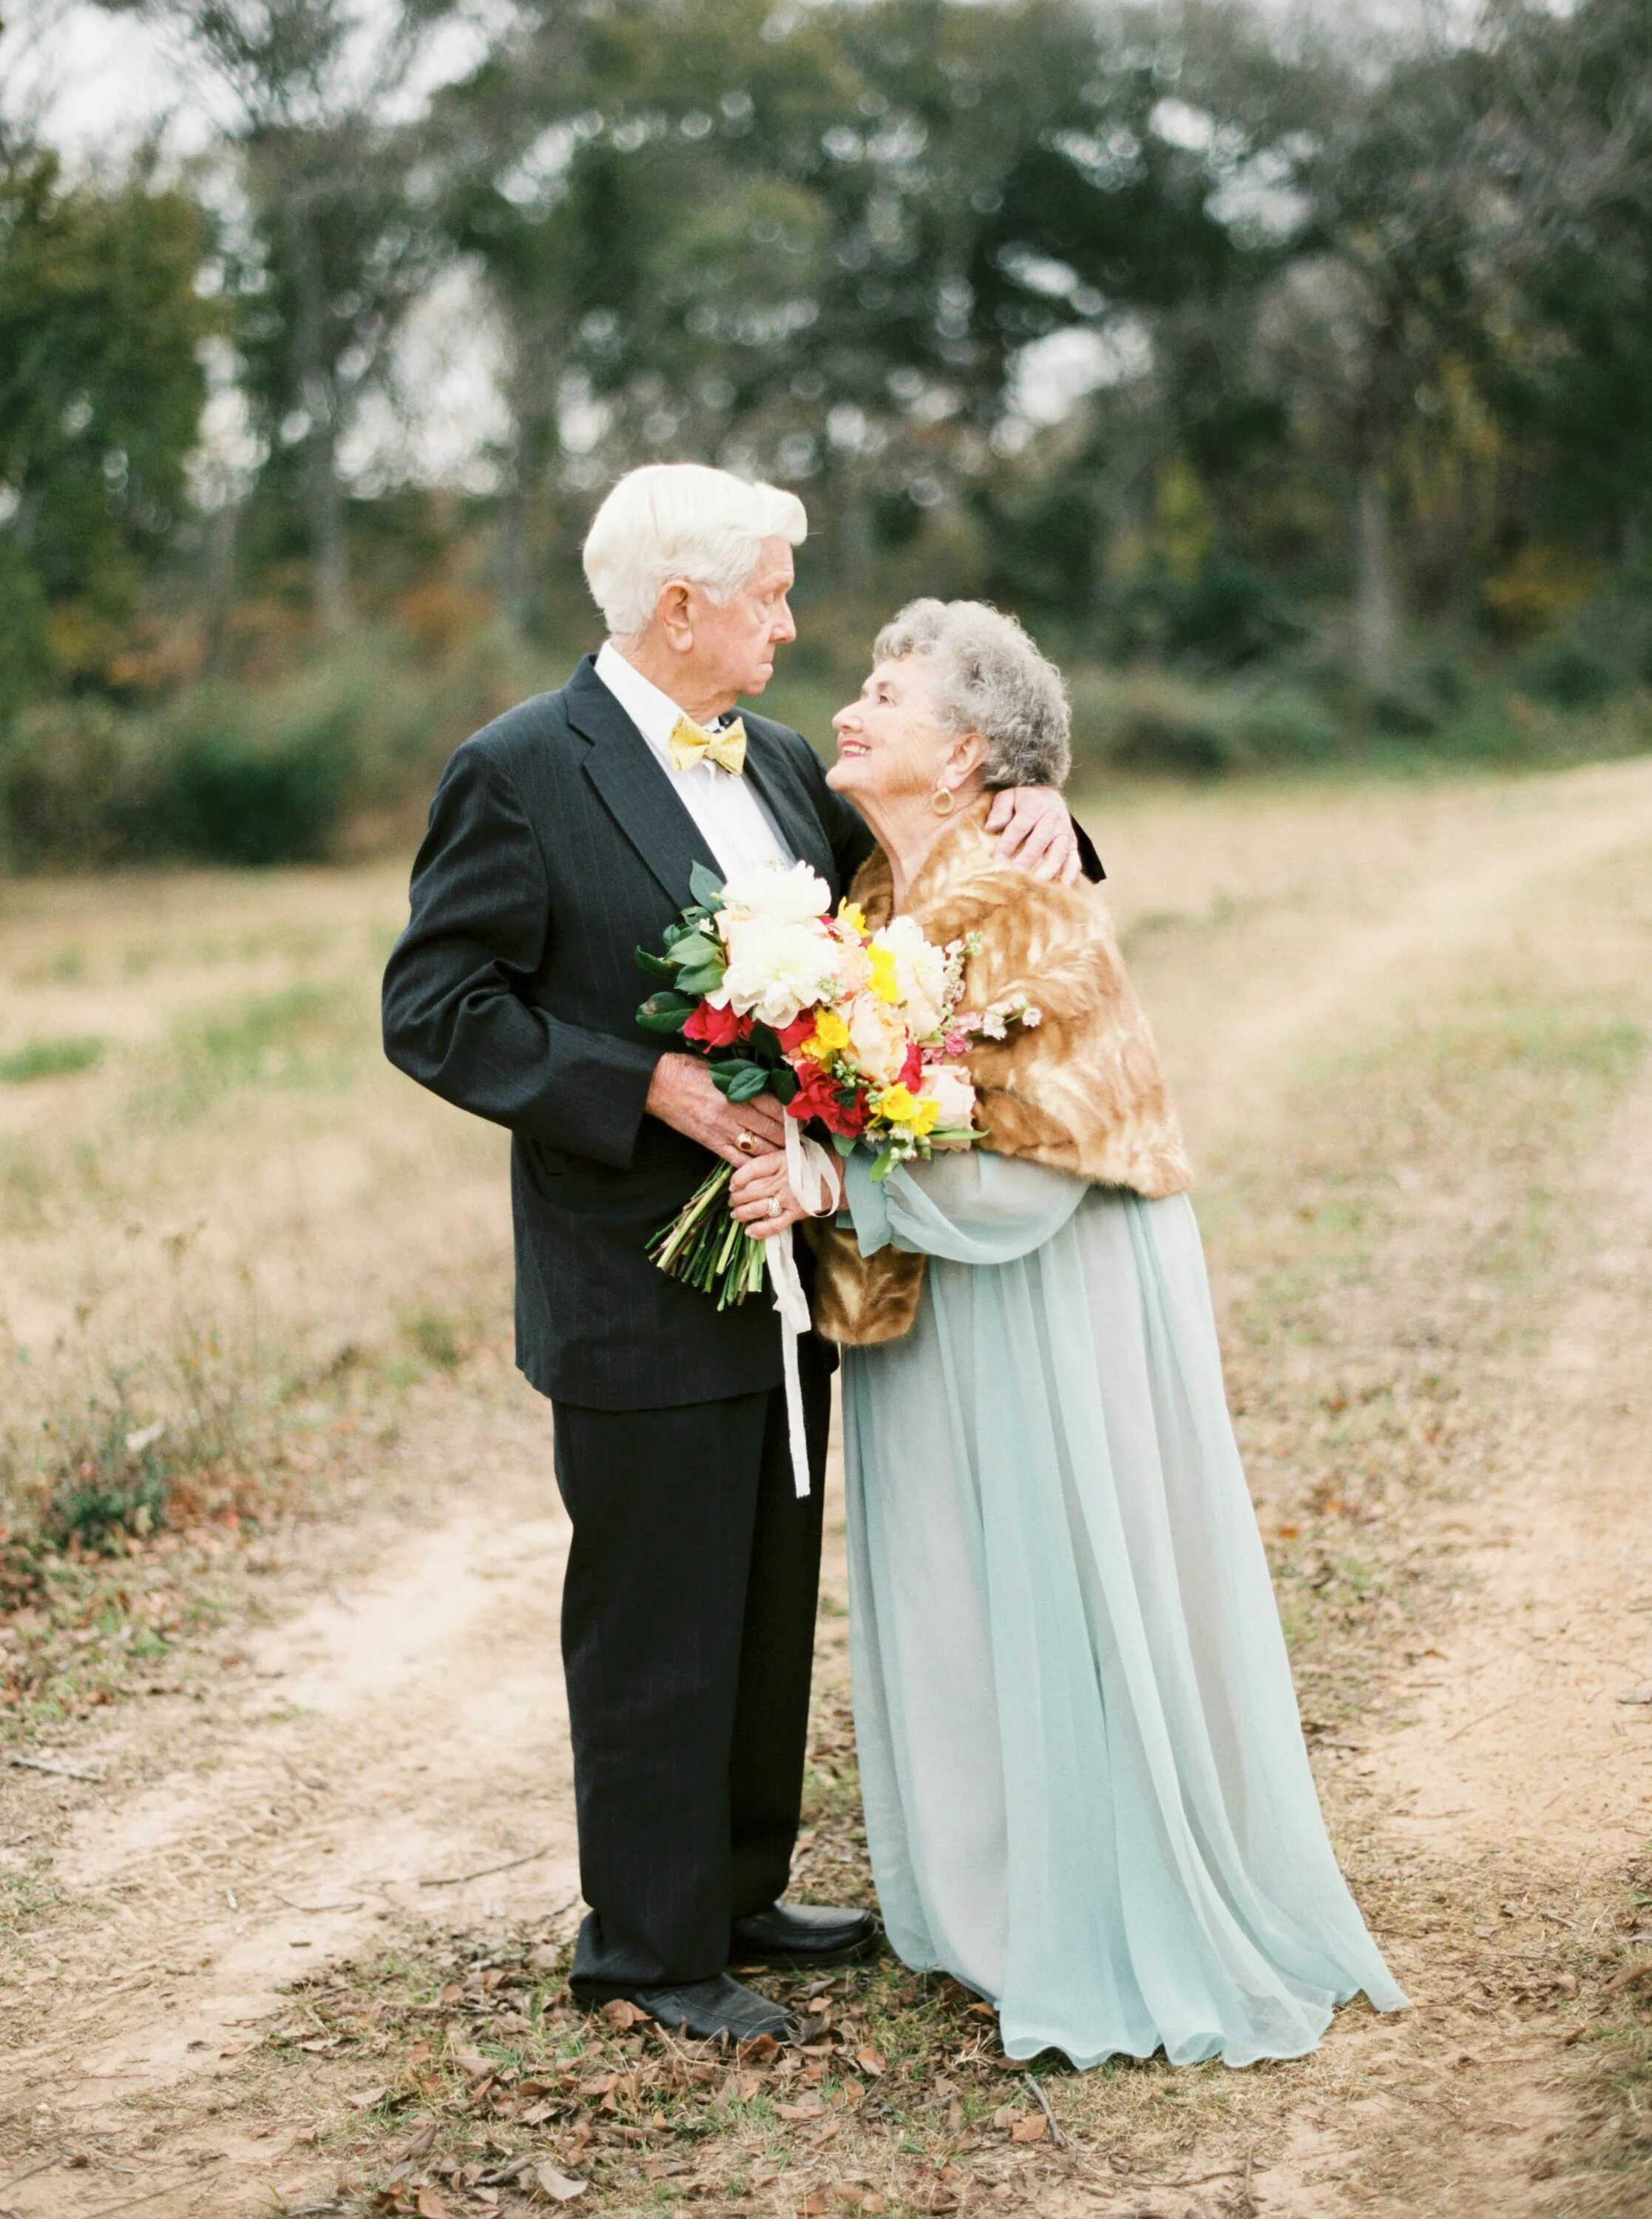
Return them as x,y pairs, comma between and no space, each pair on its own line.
562,838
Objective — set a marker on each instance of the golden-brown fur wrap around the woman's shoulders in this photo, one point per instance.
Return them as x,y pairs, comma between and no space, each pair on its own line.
1083,1091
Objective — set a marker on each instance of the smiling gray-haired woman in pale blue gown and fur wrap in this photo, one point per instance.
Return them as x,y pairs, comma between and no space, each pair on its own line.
1085,1783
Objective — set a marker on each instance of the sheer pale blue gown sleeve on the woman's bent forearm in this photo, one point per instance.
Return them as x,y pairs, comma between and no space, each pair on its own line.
963,1206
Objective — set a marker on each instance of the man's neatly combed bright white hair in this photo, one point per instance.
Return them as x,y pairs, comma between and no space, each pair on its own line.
682,520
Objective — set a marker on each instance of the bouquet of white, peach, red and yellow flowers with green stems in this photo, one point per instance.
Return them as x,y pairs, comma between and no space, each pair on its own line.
850,1029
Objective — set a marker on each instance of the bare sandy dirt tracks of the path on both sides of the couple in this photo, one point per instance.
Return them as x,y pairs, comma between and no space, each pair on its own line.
402,1721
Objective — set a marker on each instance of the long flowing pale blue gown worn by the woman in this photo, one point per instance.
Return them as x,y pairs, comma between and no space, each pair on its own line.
1083,1767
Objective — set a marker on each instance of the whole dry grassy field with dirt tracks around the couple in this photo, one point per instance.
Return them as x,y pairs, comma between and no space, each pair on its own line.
1409,1031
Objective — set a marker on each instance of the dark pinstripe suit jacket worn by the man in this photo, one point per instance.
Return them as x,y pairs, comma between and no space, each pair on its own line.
555,849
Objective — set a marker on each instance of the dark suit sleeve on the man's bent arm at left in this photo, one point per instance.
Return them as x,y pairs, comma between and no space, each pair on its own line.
458,993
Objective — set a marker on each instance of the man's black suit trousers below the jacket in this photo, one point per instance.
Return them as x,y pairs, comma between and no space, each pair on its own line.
689,1643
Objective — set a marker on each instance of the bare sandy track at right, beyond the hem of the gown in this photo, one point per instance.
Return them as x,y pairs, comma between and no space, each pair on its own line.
1520,1785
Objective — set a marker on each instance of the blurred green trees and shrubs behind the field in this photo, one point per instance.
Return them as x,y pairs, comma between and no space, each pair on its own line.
1298,387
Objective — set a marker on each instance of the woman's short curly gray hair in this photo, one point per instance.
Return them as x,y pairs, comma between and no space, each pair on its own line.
990,680
